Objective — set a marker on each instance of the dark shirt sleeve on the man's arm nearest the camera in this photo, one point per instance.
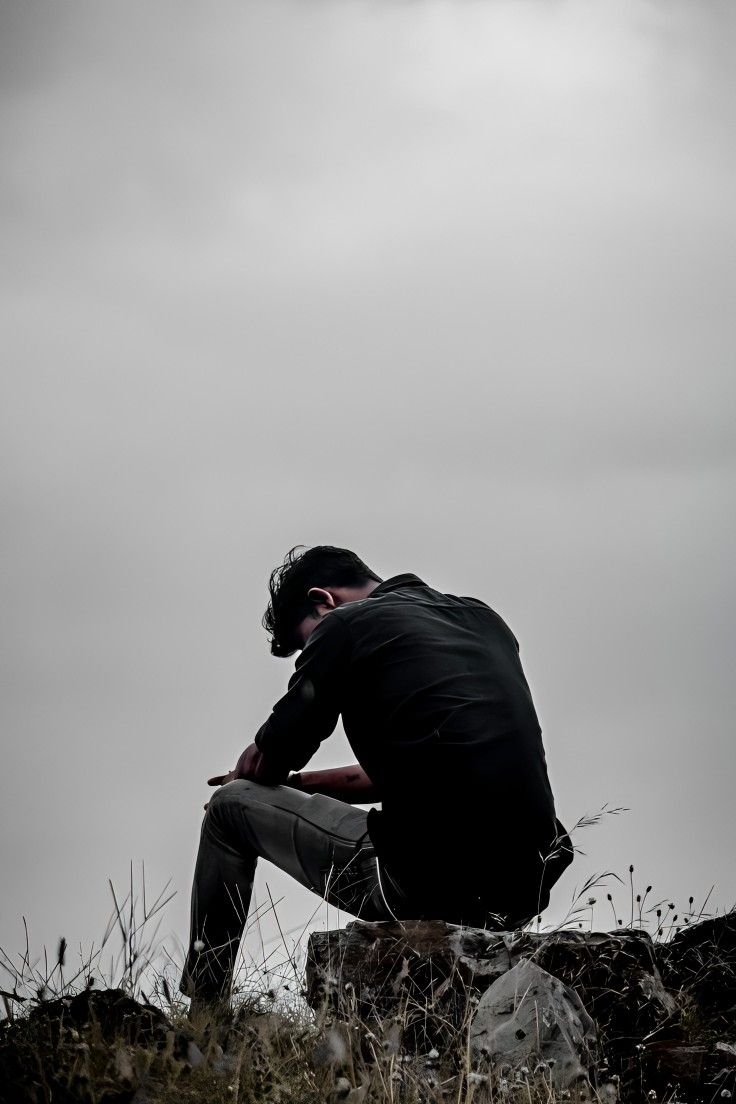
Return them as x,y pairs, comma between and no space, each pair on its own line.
310,710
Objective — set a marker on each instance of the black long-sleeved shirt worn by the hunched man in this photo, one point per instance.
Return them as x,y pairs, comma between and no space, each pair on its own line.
438,710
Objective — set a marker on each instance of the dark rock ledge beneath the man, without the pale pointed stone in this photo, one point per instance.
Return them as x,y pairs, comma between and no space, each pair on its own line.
664,1012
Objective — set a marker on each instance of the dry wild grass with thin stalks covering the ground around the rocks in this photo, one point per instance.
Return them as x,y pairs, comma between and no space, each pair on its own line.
70,1037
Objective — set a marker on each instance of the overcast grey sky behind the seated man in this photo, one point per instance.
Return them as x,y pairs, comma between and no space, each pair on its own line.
451,284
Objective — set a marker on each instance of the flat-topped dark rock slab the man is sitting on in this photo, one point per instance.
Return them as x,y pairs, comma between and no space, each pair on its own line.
372,969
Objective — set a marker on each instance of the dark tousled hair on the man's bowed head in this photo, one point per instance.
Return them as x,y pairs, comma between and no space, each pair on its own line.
323,566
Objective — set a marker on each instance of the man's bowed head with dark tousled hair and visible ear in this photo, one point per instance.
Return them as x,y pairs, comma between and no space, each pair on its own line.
307,587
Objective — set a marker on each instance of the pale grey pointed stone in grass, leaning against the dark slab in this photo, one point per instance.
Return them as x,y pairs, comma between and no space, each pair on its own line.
528,1017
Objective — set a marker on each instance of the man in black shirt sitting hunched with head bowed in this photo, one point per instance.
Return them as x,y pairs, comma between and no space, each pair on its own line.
440,716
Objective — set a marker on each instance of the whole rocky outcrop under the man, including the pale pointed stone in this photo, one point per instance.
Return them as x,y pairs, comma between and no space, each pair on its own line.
618,1007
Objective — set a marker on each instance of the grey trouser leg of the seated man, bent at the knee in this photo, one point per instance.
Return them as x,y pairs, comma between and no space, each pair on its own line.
324,844
